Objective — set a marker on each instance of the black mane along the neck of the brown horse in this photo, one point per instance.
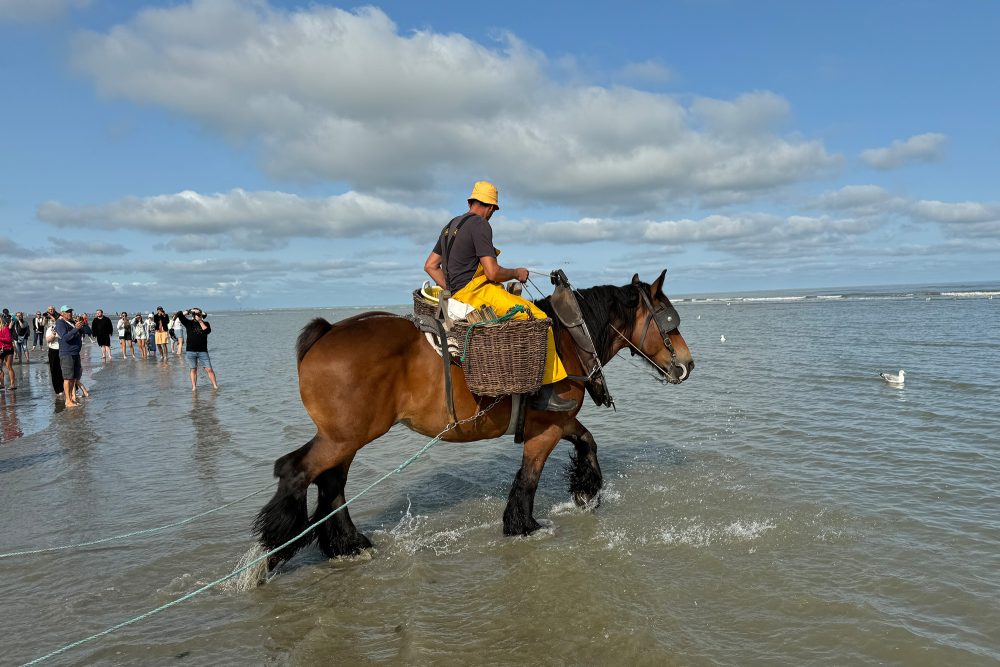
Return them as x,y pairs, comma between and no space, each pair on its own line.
603,306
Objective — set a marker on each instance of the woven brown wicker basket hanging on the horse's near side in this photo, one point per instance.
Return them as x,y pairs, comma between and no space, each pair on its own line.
504,358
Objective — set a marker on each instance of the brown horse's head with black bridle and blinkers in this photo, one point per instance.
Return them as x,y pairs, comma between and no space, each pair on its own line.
655,332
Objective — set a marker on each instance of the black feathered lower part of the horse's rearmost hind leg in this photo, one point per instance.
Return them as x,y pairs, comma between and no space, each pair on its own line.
286,514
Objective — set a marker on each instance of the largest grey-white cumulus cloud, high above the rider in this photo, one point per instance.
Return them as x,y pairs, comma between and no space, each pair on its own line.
343,96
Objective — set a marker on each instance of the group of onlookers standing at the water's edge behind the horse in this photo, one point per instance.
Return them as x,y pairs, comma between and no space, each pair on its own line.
63,334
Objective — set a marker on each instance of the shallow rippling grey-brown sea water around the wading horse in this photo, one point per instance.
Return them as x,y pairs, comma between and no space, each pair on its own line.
782,507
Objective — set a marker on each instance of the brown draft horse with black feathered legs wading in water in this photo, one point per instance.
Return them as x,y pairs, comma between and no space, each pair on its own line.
360,376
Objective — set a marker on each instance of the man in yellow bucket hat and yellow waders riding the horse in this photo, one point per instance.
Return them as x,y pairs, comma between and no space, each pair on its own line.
464,261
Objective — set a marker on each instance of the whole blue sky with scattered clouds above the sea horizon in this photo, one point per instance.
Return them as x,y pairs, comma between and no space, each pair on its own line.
275,154
